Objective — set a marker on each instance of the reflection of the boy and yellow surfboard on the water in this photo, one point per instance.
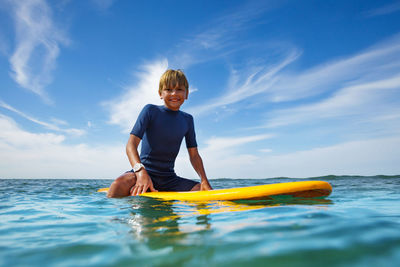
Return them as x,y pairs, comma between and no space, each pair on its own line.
158,222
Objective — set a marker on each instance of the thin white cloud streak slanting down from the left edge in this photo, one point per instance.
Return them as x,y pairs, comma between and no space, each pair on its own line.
51,126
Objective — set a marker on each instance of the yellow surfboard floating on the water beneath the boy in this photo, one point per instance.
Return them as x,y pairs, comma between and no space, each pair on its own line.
296,189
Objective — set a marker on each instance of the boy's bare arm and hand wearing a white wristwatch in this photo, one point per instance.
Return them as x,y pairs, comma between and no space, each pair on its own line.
143,181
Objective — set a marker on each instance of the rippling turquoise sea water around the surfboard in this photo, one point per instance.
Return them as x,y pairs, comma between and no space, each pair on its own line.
67,223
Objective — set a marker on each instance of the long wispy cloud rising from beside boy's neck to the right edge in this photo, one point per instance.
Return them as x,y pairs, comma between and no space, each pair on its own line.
274,82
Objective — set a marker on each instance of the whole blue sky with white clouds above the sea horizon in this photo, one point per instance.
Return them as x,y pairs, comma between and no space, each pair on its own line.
278,88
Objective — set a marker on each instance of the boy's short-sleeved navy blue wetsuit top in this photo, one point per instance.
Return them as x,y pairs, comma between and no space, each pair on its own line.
162,131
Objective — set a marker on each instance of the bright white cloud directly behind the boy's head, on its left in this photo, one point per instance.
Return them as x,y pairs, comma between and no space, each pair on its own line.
125,108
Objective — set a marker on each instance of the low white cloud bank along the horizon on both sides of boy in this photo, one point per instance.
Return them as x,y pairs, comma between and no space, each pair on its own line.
45,155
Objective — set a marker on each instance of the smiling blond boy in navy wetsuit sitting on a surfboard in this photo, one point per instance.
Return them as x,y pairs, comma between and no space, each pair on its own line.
162,129
